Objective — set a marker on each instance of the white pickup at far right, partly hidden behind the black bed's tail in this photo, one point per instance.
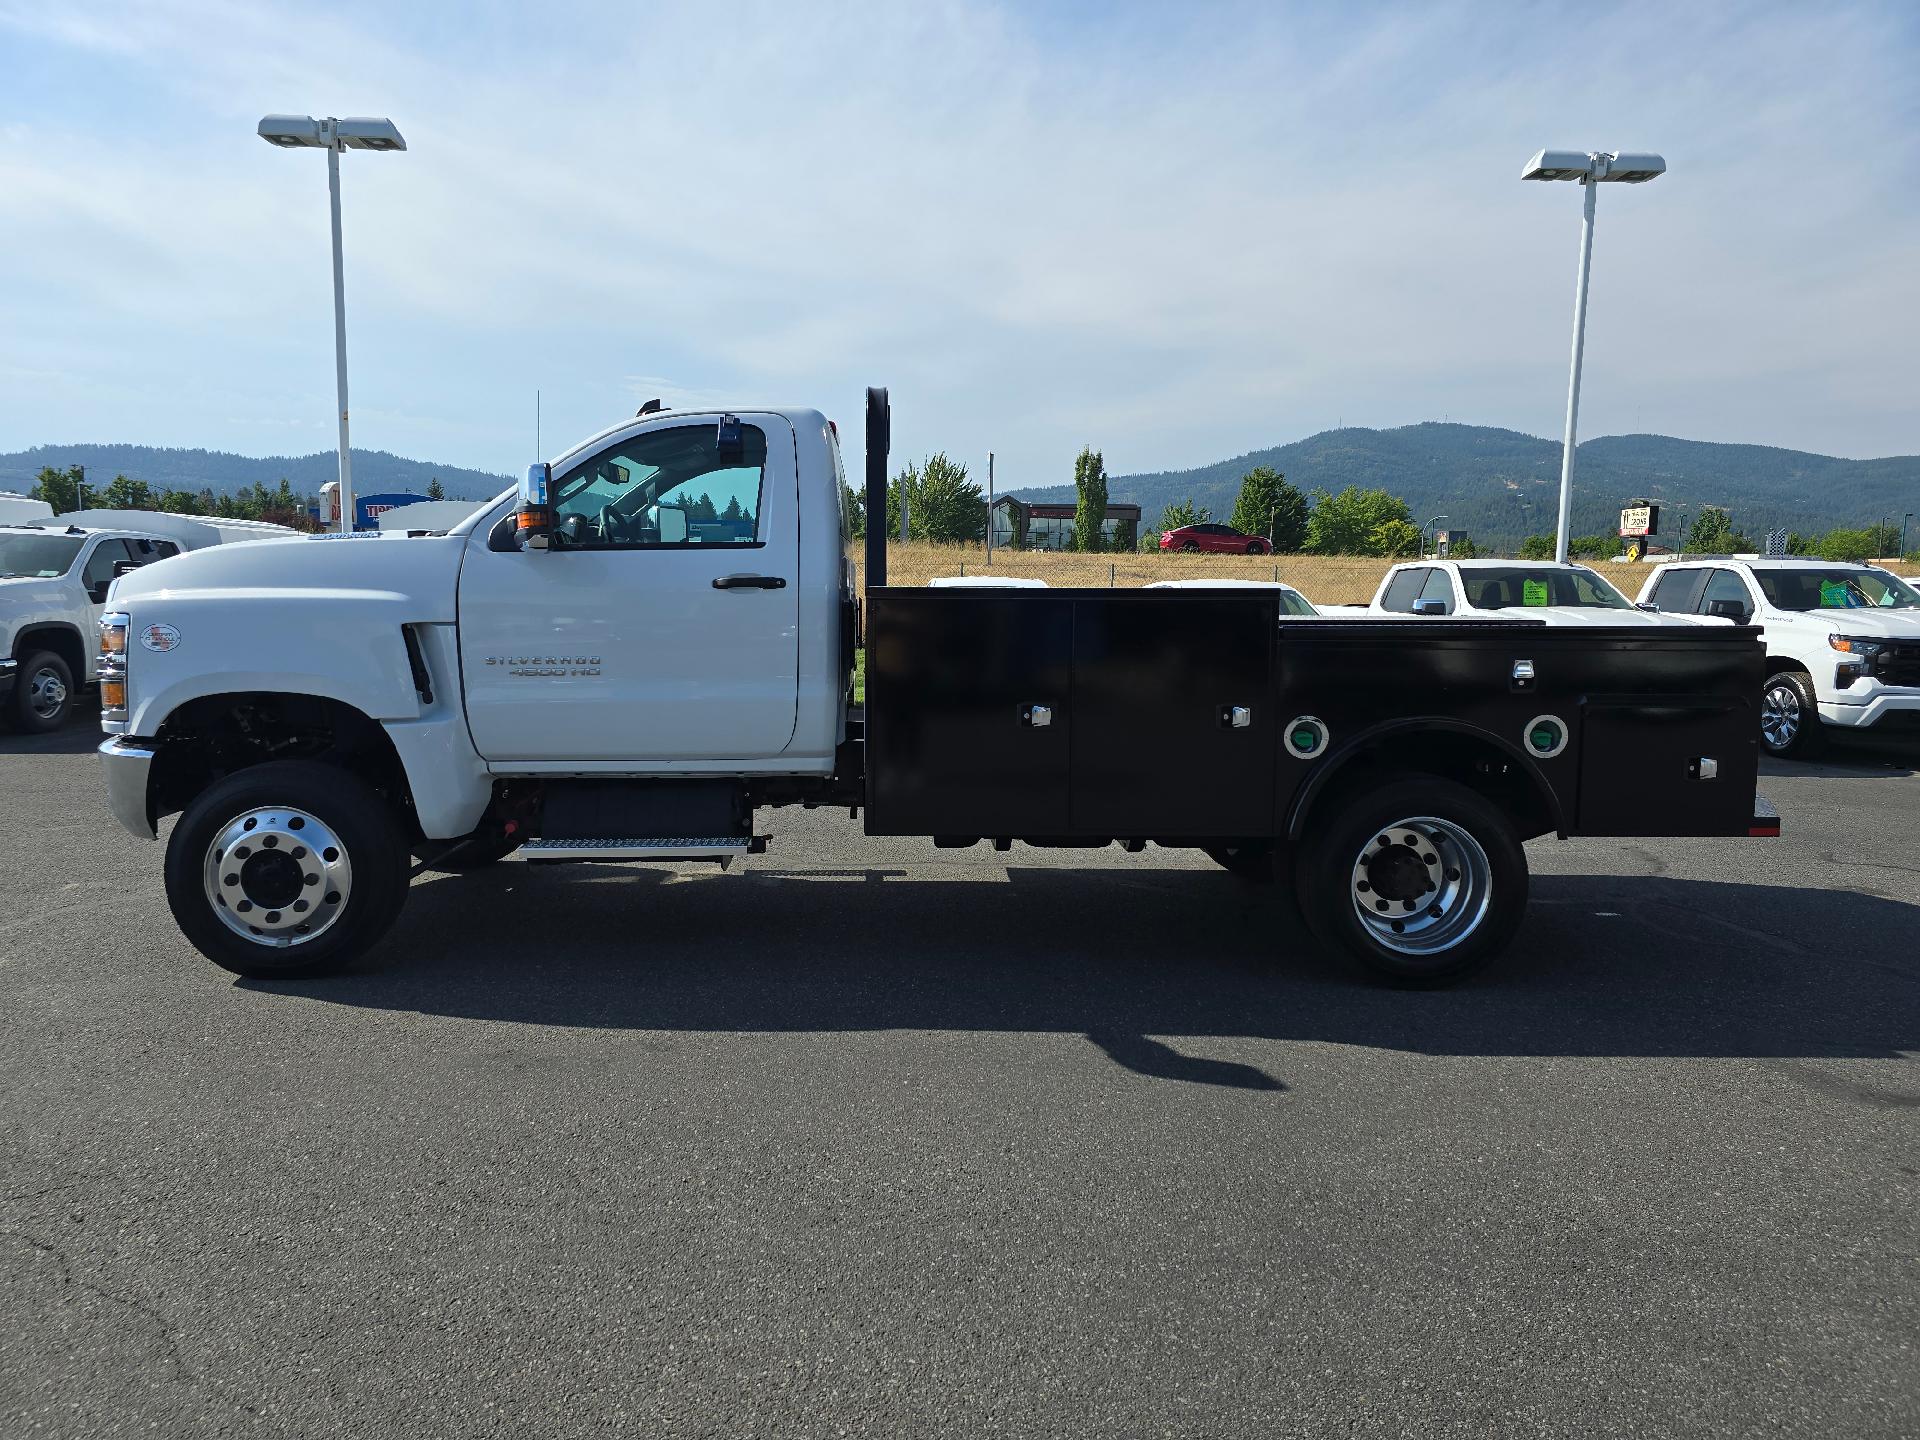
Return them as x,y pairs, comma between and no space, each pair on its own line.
1842,640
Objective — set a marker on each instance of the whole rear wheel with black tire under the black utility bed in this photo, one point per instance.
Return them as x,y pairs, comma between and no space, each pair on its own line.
1470,861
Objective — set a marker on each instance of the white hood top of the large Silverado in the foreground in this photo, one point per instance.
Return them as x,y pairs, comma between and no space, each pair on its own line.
421,571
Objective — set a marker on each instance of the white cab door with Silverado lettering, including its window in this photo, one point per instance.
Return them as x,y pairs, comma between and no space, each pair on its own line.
663,625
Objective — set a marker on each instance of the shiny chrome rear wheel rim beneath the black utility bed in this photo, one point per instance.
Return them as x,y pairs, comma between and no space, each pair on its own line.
1422,886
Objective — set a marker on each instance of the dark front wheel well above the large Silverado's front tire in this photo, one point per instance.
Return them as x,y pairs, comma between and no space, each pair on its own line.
216,736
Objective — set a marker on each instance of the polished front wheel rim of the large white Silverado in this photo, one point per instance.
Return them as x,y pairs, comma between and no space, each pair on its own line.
277,876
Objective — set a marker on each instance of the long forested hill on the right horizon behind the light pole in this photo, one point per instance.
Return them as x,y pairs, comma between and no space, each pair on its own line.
1500,485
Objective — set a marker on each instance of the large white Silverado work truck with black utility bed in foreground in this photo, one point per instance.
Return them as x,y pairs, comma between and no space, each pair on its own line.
656,638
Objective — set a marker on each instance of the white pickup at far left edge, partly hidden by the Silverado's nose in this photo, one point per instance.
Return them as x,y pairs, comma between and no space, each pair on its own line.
55,577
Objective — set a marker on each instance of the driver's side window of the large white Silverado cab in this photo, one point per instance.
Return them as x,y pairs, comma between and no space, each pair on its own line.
663,491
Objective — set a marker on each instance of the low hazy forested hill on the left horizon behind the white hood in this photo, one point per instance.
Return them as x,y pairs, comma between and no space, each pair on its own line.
210,469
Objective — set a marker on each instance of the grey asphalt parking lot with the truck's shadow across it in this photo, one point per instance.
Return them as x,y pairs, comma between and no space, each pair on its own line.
880,1140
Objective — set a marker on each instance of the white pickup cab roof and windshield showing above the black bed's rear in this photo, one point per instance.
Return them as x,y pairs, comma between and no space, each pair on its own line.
1541,590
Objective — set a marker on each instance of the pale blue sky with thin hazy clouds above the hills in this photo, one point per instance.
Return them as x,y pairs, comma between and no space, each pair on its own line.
1172,233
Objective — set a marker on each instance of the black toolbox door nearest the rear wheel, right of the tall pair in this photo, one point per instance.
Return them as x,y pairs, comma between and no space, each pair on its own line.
1157,677
